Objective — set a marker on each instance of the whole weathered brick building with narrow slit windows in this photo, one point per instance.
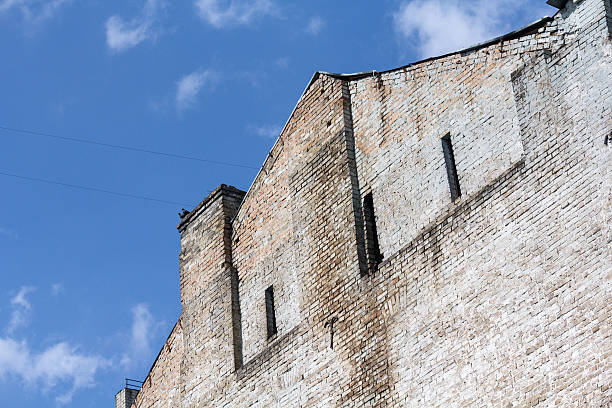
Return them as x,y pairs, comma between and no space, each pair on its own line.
434,235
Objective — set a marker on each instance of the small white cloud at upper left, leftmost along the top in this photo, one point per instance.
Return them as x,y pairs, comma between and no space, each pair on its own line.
122,35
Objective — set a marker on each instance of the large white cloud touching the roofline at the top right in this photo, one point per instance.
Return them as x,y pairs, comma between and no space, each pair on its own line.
436,27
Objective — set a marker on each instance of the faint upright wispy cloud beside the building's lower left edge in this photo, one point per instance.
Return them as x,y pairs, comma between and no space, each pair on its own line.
144,328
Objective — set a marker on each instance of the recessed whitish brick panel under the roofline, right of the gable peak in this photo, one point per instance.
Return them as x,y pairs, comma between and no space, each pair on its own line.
401,115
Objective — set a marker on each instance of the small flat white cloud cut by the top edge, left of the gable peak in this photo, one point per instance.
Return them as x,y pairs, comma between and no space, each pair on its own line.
227,13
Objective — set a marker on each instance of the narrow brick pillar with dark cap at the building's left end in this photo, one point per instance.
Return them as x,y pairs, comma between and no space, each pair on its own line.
206,298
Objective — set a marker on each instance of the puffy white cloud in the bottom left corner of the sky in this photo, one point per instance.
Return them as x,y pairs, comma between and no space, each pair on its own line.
59,366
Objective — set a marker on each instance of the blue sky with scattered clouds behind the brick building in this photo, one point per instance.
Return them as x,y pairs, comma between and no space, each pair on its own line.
89,279
